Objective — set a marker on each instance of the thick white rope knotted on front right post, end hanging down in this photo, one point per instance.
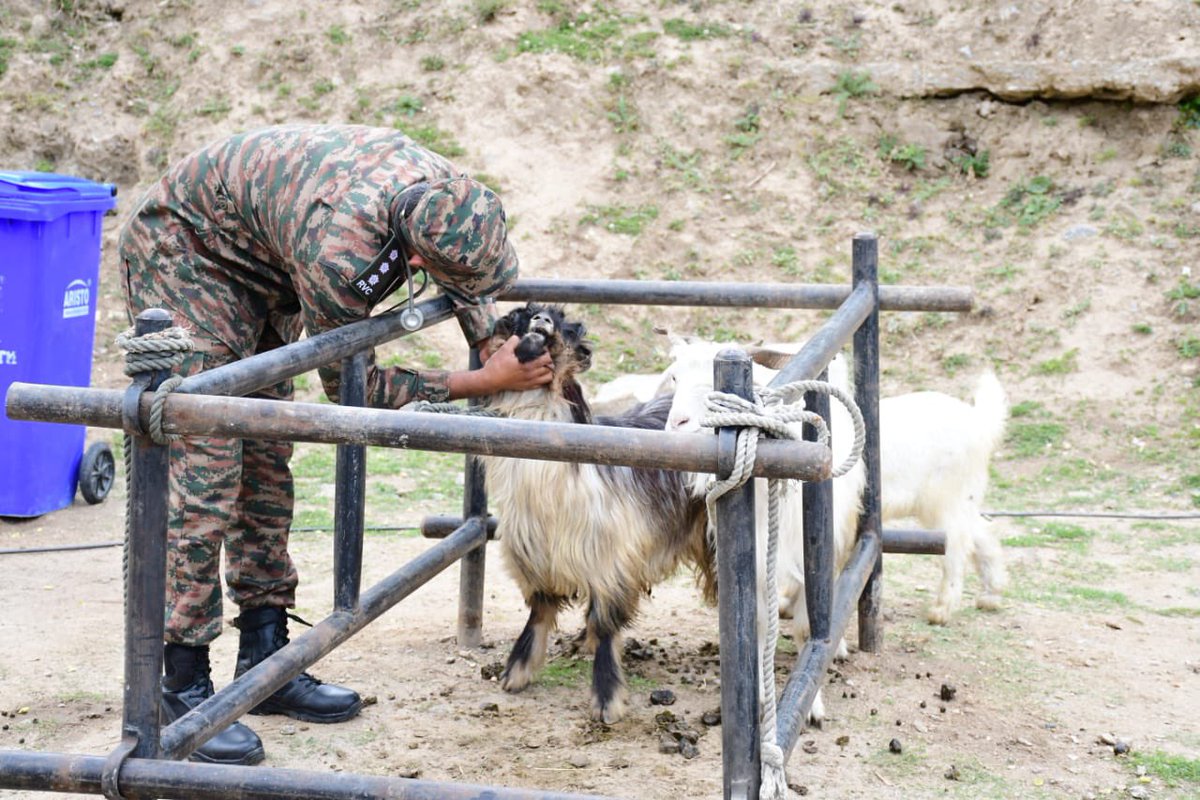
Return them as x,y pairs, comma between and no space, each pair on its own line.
771,416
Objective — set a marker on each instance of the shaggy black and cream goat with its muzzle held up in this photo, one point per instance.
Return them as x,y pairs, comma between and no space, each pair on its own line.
585,533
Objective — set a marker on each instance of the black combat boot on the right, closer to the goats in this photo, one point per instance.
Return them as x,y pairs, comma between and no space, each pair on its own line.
265,631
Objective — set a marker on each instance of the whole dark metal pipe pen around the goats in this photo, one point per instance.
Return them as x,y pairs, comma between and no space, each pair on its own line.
213,402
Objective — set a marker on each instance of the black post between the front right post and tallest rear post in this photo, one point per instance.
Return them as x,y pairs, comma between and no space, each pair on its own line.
819,531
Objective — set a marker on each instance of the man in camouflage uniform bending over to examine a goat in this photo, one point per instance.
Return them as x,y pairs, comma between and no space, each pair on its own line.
248,243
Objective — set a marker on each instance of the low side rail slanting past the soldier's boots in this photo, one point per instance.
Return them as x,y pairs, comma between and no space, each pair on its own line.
215,714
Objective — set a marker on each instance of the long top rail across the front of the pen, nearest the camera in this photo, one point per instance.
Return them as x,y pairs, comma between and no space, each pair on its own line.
241,418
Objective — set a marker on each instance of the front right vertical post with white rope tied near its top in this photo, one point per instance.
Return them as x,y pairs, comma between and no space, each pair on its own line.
737,603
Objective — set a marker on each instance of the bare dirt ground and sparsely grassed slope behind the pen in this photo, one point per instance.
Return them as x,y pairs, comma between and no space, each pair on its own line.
709,153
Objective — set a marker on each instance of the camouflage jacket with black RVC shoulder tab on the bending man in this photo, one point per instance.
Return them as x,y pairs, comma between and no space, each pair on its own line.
273,226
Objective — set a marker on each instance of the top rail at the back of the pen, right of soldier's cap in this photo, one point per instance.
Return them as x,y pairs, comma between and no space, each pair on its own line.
734,296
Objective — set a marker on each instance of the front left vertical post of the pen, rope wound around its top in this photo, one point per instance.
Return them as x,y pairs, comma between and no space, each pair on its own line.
146,567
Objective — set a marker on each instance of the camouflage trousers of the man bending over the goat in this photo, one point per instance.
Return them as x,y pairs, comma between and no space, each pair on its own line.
236,495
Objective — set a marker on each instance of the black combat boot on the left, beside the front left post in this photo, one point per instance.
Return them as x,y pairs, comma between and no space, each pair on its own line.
187,685
